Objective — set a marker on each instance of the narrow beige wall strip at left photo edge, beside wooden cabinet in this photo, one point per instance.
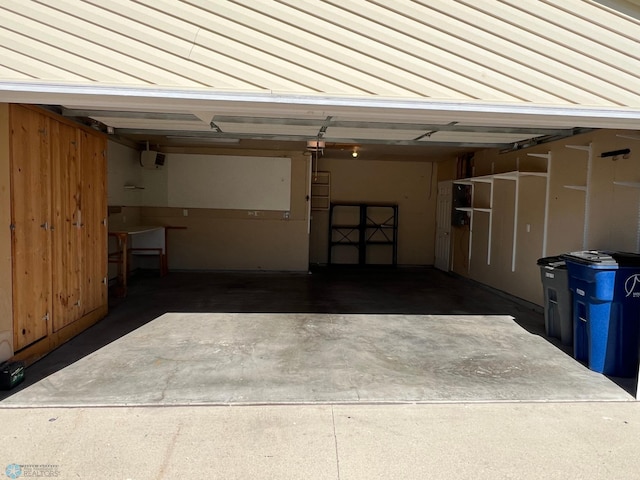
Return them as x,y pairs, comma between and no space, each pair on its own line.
6,289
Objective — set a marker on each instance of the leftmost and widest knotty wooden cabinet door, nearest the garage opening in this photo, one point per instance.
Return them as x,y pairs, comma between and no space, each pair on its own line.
30,181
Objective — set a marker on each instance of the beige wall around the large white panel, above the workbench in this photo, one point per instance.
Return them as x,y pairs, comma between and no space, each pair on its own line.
214,239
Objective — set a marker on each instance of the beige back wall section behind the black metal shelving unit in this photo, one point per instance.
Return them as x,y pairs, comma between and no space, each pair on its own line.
412,185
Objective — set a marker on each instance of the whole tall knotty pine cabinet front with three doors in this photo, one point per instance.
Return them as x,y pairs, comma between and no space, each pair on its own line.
59,232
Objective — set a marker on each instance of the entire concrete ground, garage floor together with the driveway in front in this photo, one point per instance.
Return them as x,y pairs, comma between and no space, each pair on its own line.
321,377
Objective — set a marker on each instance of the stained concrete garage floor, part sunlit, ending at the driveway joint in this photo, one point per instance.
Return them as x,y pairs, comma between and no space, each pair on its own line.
335,336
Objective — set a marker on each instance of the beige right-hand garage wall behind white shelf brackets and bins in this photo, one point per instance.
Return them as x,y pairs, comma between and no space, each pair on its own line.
613,219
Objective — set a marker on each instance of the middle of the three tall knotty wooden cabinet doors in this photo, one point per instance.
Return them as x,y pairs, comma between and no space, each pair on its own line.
66,232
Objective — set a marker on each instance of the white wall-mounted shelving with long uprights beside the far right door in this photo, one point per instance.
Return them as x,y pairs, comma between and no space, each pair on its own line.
510,176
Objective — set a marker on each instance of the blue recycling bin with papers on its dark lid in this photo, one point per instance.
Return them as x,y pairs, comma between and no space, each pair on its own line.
606,310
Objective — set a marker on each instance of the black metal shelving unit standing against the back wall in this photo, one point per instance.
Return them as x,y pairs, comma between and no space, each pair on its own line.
367,224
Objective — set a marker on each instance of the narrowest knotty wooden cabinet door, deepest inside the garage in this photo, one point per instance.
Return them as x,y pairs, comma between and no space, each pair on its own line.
93,214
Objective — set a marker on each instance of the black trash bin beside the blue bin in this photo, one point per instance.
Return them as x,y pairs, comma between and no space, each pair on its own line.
558,305
